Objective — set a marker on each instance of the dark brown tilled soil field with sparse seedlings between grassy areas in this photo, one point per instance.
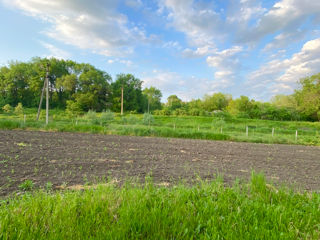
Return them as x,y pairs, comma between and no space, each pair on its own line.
75,158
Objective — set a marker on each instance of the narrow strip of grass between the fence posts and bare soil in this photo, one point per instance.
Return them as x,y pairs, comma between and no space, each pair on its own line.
160,131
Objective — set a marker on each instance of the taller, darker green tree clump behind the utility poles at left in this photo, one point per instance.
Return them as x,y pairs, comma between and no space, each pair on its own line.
73,86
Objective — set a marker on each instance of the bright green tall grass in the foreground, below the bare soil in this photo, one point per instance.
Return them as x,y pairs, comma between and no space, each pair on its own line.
205,211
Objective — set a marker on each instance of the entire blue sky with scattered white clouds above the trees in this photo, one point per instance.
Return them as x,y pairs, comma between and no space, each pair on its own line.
185,47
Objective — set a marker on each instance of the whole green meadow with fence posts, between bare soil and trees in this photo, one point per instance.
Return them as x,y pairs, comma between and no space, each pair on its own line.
210,128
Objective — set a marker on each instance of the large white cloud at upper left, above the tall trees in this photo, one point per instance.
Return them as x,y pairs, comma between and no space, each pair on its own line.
95,25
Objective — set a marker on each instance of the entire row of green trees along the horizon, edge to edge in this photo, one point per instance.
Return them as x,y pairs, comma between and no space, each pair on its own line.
79,87
